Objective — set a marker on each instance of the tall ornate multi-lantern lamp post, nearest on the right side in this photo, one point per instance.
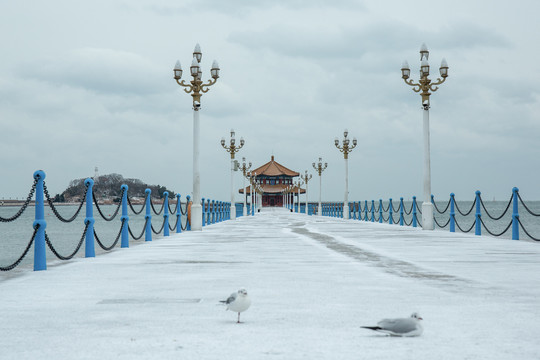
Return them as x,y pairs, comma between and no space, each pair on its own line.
424,86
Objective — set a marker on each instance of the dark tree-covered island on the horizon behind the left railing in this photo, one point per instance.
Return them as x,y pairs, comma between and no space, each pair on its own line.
107,190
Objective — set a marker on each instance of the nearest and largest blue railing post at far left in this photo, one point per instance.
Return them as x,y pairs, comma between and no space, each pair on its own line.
40,260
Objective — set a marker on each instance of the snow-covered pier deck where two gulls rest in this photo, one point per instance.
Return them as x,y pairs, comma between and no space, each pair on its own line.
313,282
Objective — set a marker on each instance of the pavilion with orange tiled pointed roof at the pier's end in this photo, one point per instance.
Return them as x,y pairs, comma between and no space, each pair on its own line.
273,179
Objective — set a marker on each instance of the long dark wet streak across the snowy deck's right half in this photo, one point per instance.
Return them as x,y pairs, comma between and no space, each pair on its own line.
392,266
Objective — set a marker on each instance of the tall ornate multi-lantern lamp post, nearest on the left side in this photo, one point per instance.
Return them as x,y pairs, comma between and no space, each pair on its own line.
196,87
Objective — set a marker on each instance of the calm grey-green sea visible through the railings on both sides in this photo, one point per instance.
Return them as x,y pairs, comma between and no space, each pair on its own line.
15,236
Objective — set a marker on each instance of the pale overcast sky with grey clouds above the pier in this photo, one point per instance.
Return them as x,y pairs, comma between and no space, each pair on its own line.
90,84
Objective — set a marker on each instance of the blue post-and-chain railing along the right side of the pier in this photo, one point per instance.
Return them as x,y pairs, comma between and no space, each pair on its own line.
400,214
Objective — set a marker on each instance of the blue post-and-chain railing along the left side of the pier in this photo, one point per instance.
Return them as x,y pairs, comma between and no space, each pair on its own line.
214,211
